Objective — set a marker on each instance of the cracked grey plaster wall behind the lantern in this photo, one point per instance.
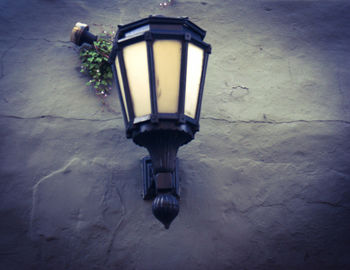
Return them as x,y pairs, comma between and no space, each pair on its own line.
265,184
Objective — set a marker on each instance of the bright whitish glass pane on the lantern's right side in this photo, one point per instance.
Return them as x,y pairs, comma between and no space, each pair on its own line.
193,78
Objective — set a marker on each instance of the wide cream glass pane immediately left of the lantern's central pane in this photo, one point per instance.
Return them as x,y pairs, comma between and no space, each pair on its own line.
136,65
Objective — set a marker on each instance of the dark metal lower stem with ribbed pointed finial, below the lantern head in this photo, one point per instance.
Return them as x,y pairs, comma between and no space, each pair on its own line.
162,141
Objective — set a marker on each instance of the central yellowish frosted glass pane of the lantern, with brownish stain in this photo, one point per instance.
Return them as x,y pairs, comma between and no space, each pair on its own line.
167,63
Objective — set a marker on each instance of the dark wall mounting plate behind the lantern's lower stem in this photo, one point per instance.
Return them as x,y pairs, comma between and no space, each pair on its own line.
149,180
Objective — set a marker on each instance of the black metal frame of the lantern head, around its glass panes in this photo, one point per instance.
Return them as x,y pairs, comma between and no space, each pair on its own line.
159,28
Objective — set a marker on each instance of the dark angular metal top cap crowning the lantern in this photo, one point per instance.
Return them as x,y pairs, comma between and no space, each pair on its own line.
159,19
